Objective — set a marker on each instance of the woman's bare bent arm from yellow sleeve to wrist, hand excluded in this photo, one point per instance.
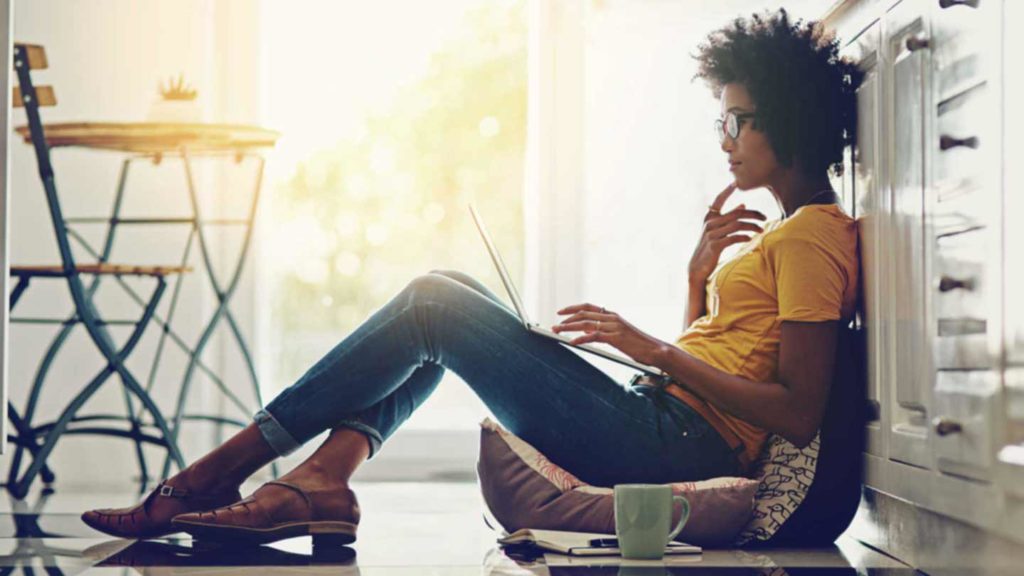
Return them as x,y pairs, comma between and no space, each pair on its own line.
794,406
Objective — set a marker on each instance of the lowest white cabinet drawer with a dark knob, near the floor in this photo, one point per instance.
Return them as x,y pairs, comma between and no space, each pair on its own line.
966,409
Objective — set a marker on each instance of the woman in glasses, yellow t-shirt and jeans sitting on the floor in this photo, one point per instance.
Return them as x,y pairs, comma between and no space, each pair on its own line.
755,359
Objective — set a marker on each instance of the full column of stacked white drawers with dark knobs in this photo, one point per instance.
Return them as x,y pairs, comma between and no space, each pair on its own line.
964,209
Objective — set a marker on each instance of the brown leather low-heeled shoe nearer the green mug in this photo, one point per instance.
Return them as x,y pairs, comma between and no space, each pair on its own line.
331,518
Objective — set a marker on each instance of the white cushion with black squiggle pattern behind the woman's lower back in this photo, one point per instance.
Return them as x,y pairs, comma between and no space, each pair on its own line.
785,474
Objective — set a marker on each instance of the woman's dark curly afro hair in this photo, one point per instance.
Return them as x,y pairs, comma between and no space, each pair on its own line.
804,93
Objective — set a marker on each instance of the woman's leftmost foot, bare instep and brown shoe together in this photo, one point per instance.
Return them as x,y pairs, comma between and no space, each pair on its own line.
152,519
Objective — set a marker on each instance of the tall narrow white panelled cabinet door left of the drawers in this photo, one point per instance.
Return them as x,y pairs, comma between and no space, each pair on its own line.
906,134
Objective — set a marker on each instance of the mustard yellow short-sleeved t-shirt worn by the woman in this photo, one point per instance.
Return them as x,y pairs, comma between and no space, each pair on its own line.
803,269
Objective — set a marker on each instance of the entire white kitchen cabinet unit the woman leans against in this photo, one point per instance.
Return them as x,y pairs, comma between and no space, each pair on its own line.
941,204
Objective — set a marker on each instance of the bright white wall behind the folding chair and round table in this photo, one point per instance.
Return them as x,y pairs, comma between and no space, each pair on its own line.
107,58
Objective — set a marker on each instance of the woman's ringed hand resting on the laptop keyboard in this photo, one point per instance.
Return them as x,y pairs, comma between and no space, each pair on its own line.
601,325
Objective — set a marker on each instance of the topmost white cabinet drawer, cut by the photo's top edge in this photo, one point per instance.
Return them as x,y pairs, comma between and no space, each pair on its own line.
963,45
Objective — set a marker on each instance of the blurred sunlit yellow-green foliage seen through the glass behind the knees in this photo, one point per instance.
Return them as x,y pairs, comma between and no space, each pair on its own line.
393,204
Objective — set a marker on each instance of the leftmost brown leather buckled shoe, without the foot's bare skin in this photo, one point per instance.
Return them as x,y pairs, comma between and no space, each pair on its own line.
137,522
